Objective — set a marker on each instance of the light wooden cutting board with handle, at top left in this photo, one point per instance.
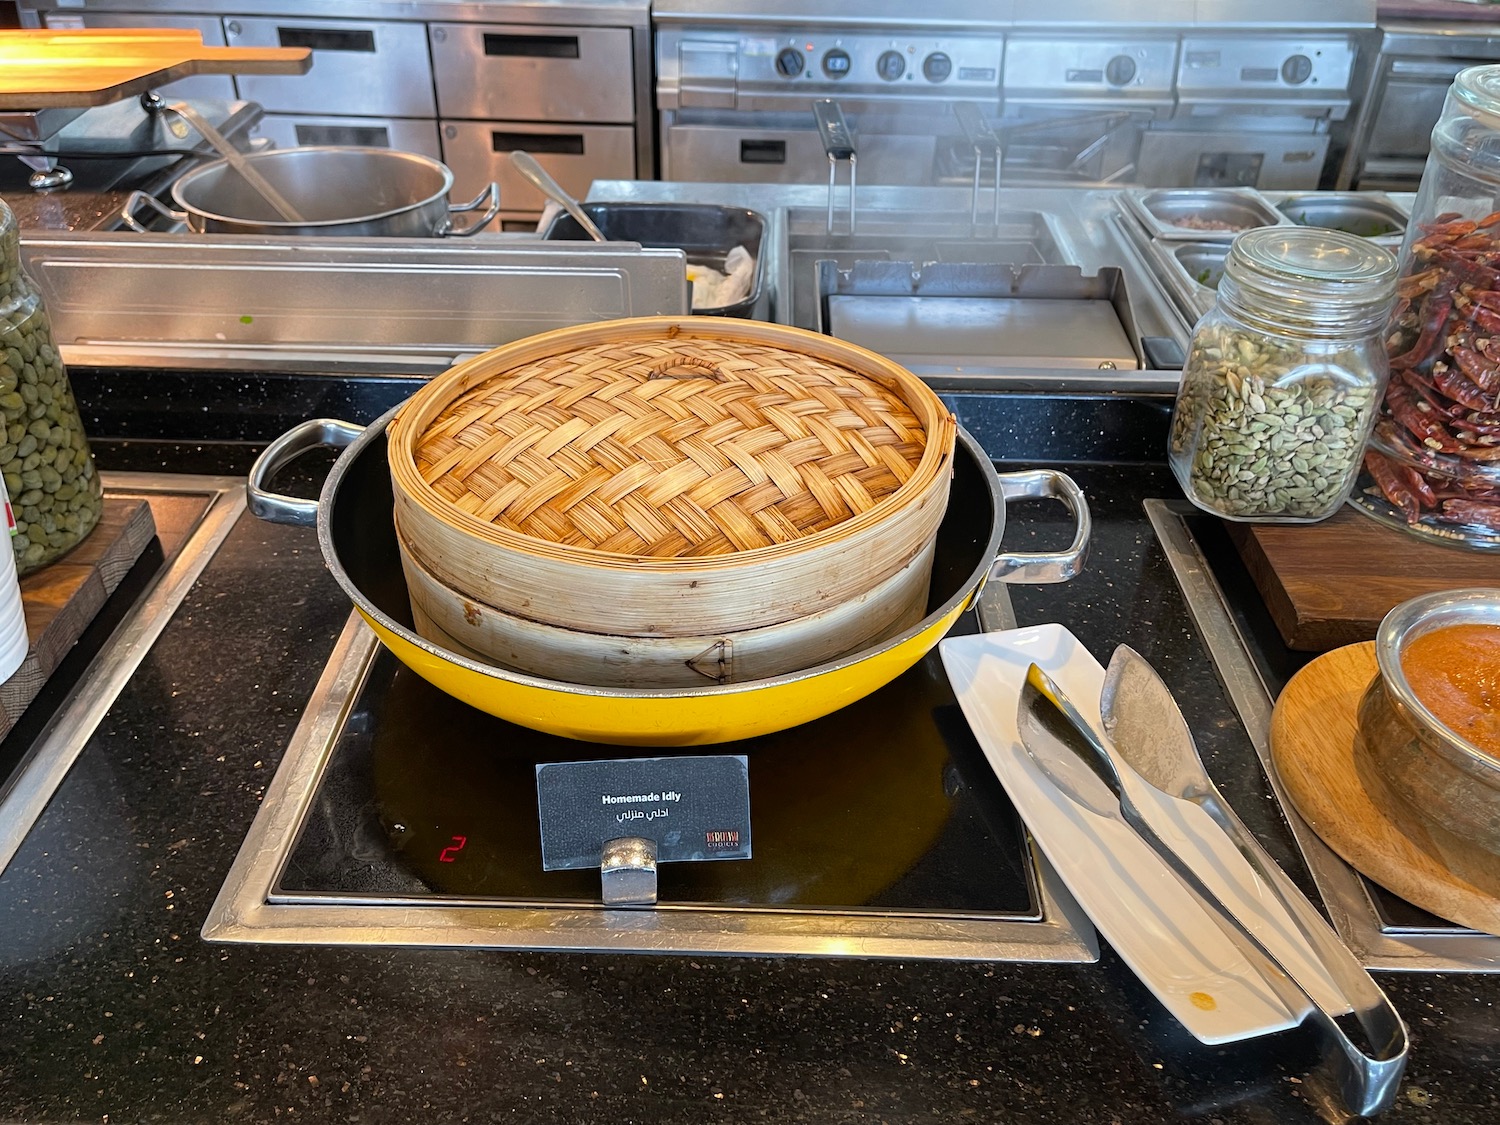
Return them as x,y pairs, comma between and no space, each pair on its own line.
97,67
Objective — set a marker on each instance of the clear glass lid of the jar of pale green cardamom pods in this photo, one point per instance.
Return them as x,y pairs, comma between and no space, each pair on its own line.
1312,277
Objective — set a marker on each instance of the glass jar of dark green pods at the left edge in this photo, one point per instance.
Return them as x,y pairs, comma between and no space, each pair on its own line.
44,454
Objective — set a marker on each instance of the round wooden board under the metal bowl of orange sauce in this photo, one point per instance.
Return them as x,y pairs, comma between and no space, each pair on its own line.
1313,748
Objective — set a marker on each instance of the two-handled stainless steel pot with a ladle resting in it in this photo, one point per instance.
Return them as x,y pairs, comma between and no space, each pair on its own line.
340,191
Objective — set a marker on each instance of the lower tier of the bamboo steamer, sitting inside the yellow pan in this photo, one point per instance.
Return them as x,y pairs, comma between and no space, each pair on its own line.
482,632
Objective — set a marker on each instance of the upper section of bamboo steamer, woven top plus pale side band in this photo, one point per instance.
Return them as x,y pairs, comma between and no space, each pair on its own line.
670,476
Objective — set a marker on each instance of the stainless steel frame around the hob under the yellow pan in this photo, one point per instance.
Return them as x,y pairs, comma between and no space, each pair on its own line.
250,911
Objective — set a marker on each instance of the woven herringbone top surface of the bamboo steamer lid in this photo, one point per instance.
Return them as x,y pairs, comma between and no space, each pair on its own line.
664,440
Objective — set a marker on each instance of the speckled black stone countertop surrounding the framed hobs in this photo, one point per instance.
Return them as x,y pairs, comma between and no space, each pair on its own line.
113,1007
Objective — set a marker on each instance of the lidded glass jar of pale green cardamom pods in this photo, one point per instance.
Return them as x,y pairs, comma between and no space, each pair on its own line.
1285,376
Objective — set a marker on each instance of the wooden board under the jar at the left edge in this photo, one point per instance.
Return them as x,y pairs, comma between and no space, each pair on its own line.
62,599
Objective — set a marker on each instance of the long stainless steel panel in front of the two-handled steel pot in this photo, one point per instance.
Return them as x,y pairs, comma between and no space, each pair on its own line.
409,305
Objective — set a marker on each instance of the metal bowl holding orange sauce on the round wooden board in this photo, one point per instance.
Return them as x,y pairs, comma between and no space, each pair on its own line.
1451,785
